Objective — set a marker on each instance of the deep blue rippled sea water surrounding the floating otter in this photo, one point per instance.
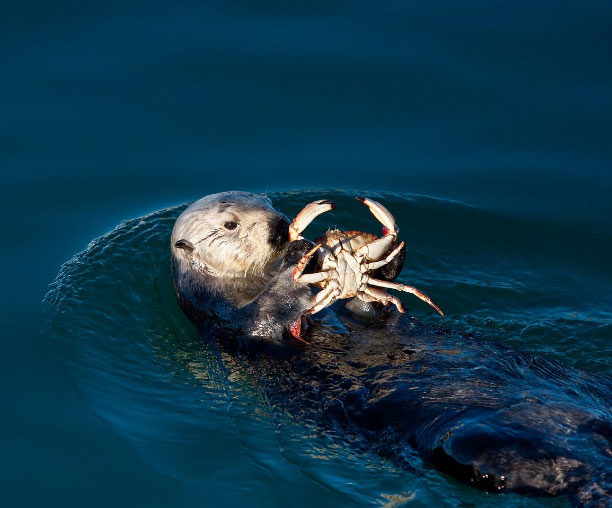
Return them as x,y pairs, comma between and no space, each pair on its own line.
485,127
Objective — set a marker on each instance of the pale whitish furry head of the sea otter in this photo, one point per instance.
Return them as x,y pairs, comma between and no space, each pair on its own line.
234,234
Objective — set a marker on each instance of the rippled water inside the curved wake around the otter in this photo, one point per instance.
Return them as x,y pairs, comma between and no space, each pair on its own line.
198,415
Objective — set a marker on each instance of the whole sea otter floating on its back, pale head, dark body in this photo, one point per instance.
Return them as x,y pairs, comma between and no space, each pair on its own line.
490,416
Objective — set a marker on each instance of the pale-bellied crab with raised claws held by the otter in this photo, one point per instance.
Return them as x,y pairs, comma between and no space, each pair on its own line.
346,258
